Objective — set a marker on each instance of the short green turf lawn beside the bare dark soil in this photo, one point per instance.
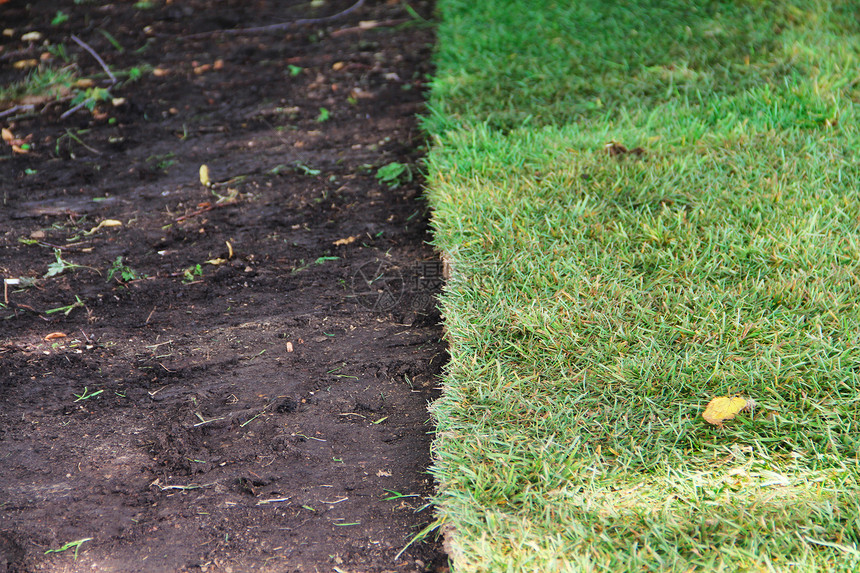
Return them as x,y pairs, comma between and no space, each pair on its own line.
598,302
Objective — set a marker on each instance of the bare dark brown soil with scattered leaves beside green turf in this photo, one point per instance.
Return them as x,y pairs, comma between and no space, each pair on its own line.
231,377
